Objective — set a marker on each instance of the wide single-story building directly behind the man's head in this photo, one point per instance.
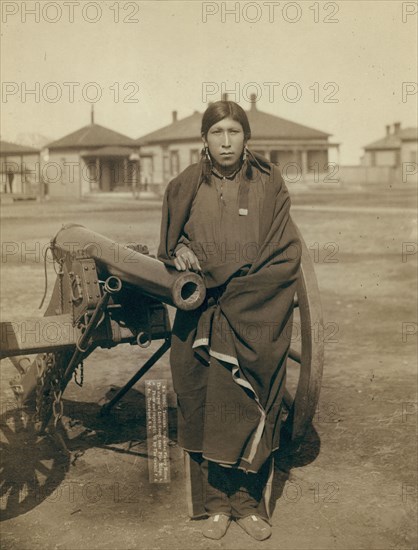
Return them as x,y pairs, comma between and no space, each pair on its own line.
298,150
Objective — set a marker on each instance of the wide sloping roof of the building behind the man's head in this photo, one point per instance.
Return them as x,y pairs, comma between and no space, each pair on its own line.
263,126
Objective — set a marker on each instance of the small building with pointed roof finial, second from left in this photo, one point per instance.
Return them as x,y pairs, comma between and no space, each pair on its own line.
91,159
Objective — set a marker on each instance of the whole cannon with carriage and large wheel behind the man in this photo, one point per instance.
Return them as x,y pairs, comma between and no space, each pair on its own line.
106,294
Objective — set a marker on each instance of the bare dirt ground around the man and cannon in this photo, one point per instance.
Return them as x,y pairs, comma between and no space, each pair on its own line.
353,482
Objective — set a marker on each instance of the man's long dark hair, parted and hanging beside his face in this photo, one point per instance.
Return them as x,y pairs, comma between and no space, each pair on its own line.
215,113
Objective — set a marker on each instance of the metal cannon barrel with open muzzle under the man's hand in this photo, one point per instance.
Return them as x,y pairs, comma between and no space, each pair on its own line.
184,290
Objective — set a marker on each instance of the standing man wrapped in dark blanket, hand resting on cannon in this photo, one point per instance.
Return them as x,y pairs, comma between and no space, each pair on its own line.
227,217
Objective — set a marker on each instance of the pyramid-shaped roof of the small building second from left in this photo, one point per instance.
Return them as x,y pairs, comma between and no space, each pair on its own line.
92,135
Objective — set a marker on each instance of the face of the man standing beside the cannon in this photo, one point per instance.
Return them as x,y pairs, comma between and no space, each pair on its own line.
225,140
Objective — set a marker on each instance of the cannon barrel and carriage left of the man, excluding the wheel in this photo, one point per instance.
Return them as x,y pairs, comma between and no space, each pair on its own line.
105,294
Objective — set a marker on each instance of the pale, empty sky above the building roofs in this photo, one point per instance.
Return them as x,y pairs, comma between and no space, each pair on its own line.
348,68
